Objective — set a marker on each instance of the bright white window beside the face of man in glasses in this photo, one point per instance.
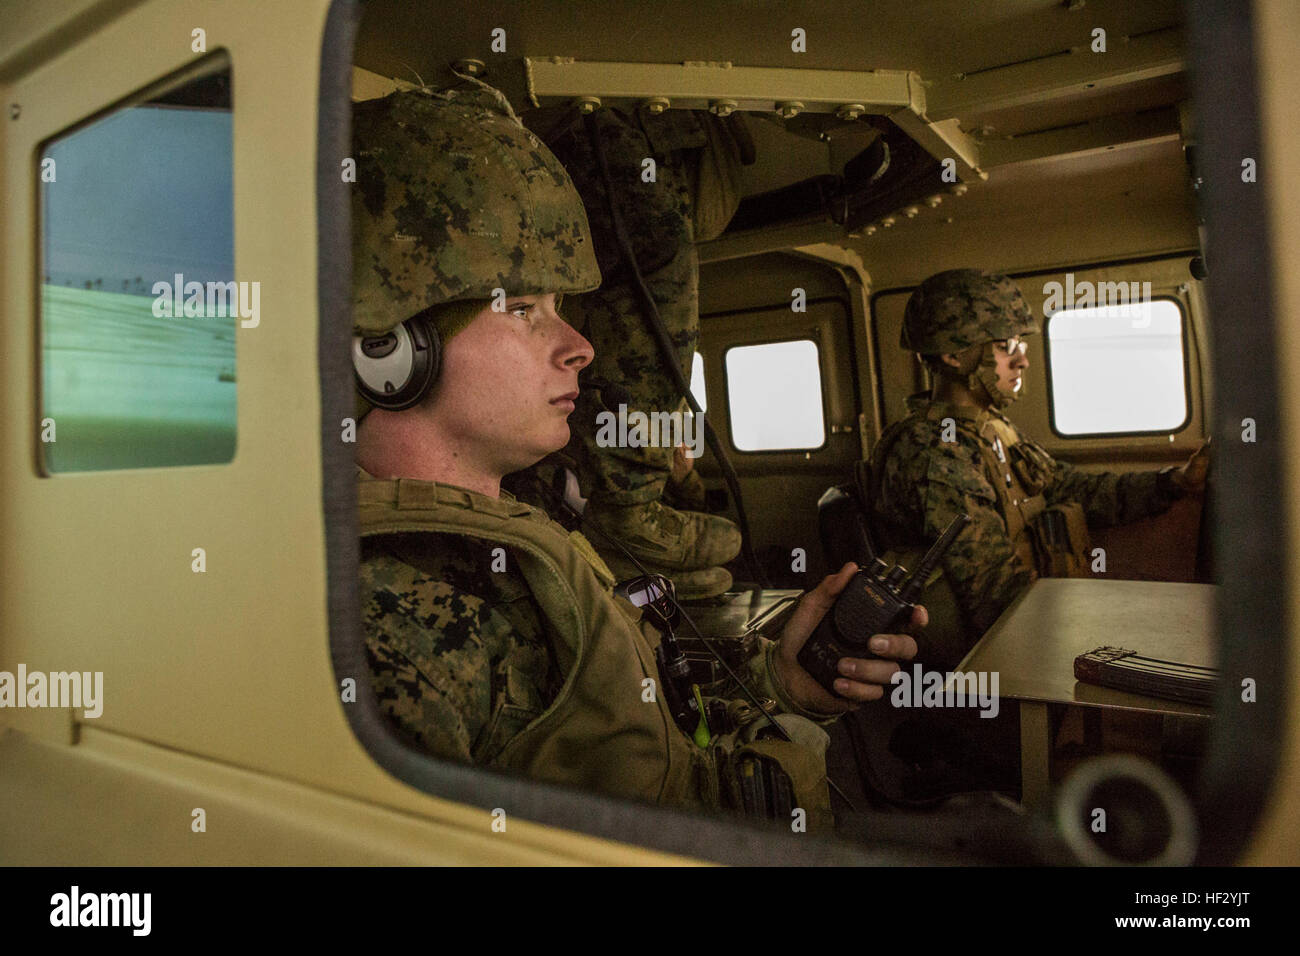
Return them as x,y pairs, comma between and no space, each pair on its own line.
1117,370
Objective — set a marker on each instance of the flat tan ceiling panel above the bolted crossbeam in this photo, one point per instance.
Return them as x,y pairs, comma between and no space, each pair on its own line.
935,38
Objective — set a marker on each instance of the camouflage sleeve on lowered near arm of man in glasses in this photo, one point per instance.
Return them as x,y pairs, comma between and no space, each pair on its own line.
982,566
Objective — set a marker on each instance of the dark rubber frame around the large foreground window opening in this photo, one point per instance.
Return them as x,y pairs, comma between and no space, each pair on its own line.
1220,46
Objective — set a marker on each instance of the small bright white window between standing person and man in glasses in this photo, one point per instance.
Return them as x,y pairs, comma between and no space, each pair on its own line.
774,395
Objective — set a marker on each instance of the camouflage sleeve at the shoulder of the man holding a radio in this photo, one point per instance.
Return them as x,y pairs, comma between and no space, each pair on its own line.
432,669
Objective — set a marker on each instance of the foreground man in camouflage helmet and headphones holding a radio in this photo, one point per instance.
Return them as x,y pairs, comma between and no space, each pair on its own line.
495,635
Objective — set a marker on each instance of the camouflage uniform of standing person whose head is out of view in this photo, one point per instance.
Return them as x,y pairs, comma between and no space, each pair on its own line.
695,188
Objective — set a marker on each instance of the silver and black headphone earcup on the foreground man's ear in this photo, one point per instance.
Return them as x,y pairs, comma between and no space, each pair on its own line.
395,371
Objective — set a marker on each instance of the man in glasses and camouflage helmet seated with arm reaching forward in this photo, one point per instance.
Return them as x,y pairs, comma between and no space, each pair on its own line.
957,453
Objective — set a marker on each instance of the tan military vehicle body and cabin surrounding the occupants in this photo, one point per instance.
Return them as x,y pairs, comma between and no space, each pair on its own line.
1081,149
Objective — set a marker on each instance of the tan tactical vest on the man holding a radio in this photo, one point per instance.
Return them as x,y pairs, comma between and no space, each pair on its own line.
608,729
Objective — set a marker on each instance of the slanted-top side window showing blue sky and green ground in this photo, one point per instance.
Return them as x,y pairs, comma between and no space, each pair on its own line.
140,306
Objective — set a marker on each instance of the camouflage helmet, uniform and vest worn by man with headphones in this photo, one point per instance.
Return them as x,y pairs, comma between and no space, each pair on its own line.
535,668
